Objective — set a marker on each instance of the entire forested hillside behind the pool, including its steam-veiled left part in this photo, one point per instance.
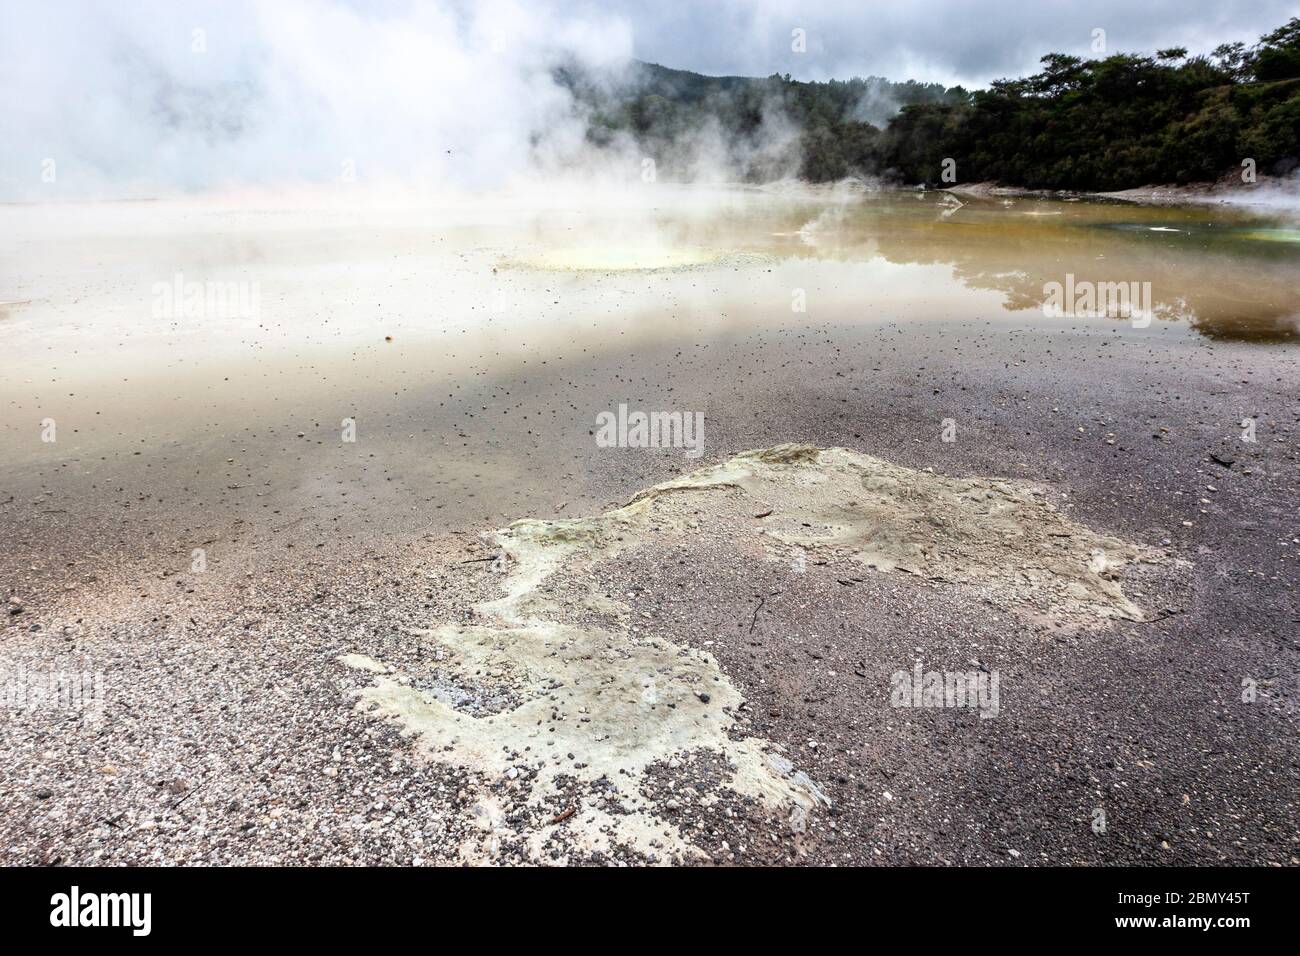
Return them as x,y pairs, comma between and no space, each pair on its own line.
1115,123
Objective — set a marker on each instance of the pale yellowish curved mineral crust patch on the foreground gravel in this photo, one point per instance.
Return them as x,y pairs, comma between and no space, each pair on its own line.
605,704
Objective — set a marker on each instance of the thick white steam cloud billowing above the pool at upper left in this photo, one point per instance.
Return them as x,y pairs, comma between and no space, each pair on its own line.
131,100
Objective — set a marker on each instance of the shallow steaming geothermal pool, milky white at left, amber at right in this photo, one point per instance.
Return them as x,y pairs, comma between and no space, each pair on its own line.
465,339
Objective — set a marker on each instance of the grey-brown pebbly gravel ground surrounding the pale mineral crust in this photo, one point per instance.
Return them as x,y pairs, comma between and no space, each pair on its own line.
228,733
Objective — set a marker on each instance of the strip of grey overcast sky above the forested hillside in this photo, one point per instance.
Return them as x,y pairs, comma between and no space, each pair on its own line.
947,41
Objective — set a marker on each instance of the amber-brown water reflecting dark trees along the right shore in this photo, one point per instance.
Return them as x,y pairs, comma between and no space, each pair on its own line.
1224,272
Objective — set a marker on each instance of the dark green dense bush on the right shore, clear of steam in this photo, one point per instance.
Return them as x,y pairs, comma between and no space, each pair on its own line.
1116,123
